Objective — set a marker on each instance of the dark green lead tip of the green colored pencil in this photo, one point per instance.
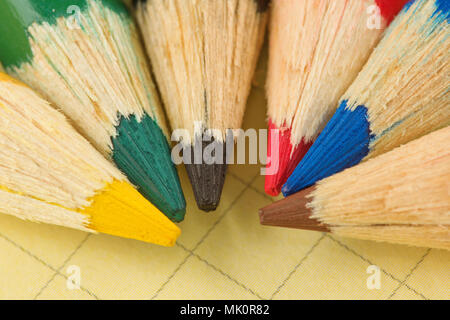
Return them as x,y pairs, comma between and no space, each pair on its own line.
142,152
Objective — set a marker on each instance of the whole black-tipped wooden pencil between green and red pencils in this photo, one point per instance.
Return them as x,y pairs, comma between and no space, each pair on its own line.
204,54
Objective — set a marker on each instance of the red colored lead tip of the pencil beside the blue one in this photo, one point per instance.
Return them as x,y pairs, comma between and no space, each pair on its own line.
282,161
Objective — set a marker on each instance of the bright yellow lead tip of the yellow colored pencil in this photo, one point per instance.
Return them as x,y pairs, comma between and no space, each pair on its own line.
120,210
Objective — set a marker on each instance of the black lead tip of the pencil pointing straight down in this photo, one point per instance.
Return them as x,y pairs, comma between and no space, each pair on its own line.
208,177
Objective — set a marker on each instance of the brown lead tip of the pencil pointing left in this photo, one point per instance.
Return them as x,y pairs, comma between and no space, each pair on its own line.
292,212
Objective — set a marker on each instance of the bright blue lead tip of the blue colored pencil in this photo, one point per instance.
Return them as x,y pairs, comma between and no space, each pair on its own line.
342,144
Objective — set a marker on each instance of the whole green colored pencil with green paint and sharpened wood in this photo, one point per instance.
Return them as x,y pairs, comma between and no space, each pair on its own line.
85,57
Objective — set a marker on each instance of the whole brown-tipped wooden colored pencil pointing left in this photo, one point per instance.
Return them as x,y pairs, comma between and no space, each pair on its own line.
401,196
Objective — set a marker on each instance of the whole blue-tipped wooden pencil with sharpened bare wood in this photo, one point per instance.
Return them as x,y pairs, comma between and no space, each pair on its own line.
401,94
